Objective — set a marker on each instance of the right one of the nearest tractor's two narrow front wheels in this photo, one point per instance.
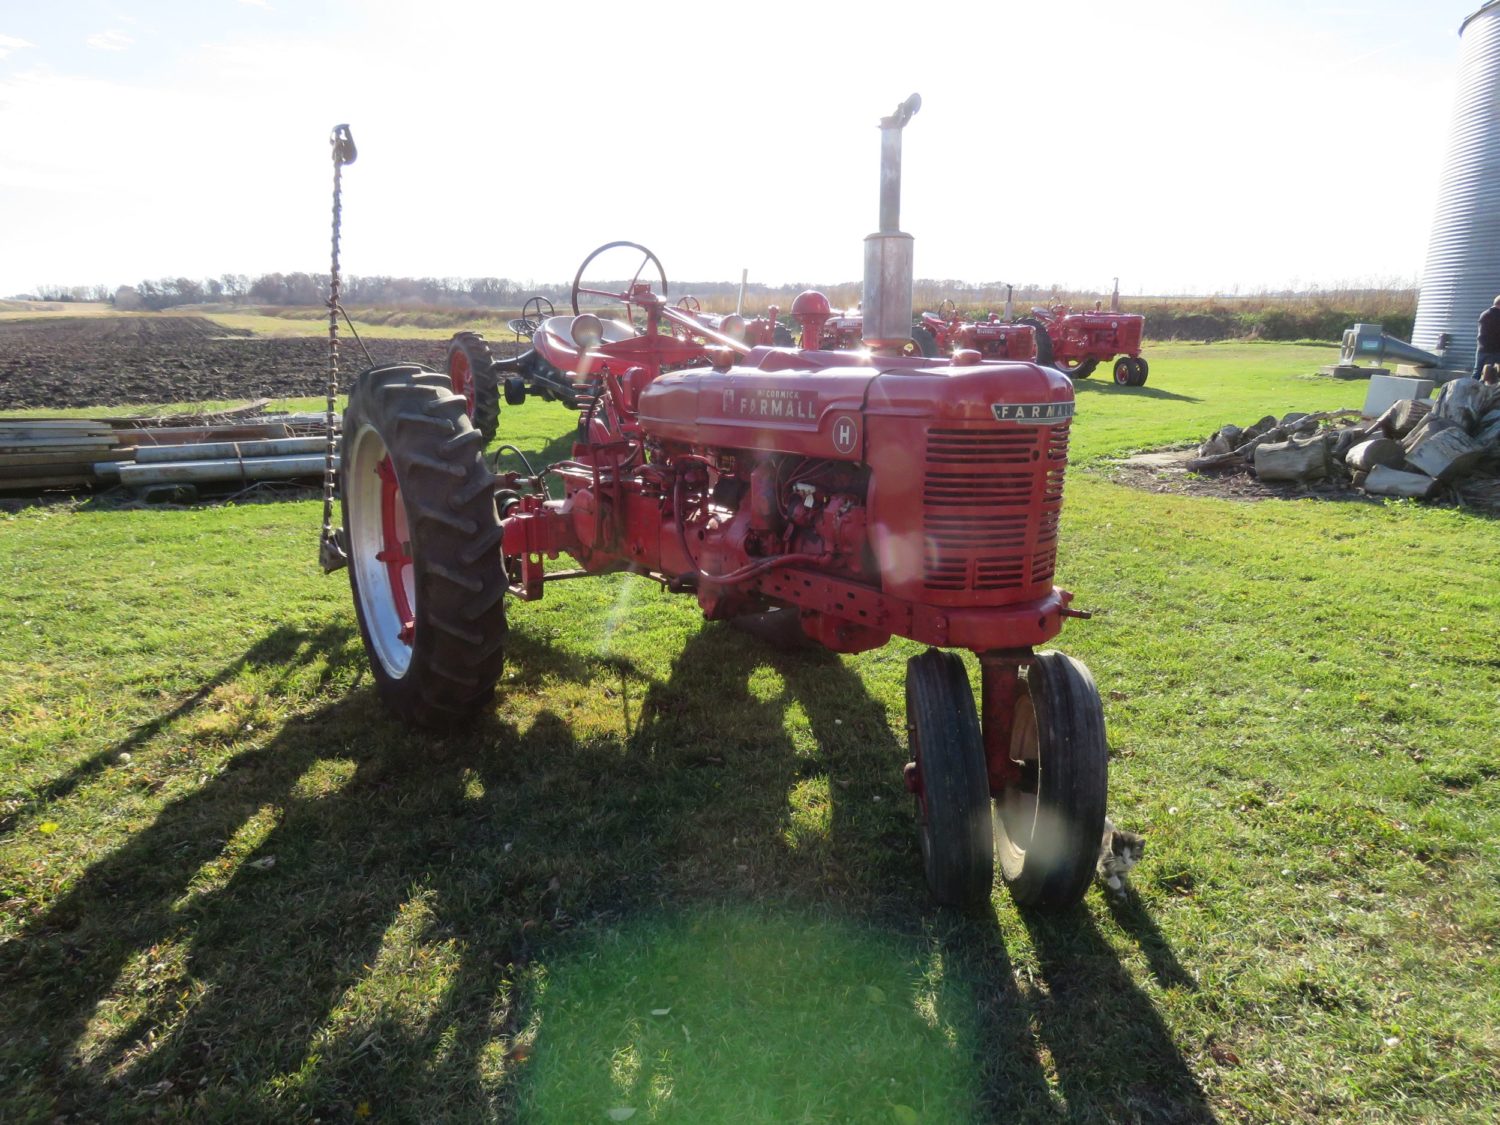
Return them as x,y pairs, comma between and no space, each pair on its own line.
1049,826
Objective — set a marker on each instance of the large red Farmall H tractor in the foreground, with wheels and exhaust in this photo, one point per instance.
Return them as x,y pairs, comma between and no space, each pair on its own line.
868,496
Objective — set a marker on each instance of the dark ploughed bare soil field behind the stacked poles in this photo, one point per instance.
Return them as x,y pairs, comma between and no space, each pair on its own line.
121,361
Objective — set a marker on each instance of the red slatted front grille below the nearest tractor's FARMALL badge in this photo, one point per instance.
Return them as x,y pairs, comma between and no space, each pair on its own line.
991,506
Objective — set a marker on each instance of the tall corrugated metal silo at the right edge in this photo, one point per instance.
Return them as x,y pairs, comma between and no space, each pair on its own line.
1463,257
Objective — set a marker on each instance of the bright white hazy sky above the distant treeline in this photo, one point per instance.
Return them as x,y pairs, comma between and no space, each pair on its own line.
1186,146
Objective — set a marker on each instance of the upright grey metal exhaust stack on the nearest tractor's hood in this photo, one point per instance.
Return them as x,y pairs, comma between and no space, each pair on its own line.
889,251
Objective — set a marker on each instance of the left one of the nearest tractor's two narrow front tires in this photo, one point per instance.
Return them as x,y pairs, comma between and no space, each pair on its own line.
950,781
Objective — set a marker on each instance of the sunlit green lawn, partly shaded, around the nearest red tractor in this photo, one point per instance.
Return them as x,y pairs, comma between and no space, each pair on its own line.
233,890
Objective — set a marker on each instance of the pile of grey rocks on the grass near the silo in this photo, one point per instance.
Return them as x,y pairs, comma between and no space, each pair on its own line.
1417,449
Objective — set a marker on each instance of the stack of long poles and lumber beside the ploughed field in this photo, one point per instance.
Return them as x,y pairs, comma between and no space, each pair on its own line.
230,448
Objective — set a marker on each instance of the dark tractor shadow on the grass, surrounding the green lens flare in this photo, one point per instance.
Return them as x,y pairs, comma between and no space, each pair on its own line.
356,916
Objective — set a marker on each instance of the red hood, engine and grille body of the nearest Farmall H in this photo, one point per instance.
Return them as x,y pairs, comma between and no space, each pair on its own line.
916,493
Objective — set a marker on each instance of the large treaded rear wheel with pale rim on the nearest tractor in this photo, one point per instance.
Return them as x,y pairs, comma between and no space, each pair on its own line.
424,539
